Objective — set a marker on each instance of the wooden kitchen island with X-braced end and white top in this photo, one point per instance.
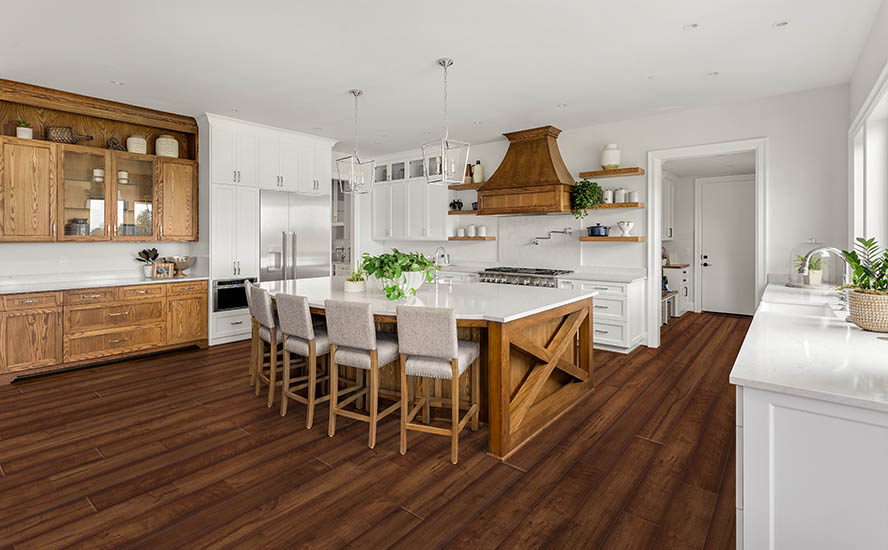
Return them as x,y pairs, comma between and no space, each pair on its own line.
536,345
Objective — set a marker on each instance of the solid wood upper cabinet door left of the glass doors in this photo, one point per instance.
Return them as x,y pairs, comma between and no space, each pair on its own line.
27,190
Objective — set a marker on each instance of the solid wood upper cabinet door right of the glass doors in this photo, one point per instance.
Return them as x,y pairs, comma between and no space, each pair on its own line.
178,188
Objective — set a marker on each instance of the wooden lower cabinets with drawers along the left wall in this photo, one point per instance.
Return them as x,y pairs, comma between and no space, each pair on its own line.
45,331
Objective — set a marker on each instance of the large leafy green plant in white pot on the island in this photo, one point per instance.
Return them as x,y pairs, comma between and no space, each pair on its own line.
397,273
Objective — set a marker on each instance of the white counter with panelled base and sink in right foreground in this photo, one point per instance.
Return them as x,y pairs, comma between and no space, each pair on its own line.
812,427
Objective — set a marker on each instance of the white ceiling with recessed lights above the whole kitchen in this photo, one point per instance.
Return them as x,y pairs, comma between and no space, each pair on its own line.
290,63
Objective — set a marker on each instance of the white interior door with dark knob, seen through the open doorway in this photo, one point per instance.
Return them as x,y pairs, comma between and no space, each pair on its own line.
727,254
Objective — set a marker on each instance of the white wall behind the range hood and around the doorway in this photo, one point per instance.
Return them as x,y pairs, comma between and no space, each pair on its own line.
806,166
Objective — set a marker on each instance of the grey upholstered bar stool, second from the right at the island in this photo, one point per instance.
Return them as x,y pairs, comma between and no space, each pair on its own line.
355,343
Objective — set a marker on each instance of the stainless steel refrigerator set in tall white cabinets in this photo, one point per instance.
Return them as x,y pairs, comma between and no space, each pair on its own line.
294,237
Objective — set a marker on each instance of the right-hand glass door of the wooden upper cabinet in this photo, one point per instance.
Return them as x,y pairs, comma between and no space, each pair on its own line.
134,183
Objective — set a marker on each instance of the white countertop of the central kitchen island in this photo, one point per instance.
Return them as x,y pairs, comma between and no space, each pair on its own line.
481,301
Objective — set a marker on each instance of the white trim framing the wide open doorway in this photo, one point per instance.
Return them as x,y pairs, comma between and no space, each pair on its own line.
655,162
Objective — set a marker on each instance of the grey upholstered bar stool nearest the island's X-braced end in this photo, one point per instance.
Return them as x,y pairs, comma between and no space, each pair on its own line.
429,348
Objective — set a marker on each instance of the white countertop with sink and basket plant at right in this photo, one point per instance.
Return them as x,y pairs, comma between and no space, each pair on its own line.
800,344
